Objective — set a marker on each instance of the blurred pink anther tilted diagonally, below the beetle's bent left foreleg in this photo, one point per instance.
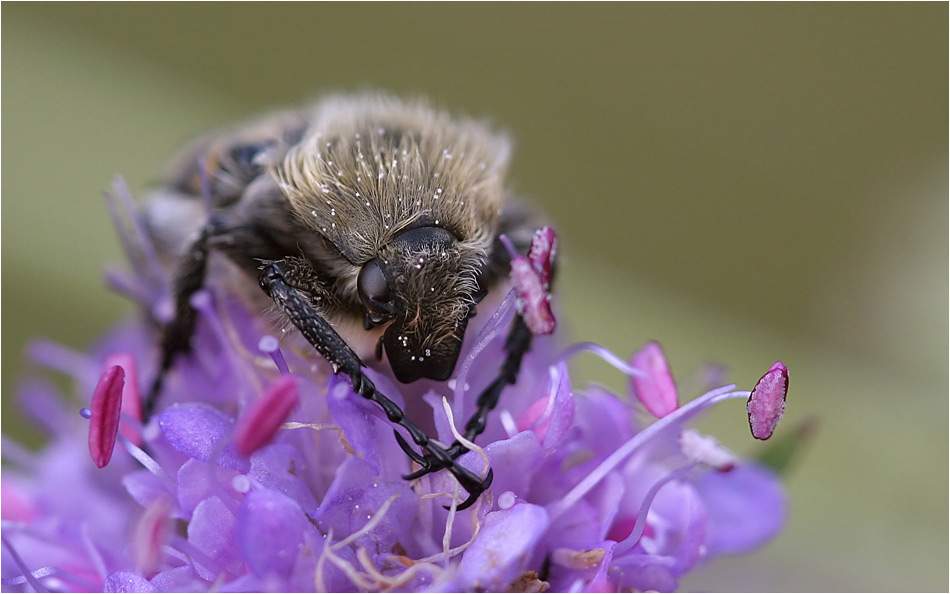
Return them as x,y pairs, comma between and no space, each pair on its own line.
259,422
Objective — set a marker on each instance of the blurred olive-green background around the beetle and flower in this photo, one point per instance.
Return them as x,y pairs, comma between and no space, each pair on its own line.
742,182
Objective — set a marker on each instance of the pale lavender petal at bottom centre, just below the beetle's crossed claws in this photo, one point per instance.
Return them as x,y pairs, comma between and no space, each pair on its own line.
503,547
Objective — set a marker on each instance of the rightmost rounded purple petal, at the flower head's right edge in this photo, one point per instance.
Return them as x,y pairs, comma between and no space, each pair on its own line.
745,508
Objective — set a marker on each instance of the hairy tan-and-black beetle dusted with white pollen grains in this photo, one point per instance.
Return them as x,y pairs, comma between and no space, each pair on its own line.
375,225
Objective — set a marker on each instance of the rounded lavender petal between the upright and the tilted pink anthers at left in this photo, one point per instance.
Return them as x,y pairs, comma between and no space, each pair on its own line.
197,430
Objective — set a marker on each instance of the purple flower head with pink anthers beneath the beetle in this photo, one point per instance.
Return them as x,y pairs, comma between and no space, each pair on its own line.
261,470
